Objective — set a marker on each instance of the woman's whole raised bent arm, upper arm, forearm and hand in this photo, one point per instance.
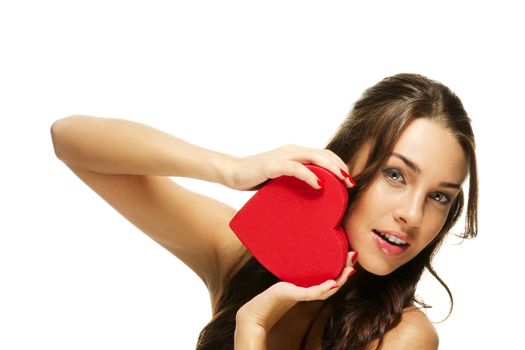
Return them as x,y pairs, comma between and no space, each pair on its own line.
127,164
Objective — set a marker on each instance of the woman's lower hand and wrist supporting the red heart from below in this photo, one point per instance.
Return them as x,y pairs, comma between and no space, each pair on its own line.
255,318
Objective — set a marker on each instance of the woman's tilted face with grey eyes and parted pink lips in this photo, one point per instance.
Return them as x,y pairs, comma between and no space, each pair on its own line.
408,200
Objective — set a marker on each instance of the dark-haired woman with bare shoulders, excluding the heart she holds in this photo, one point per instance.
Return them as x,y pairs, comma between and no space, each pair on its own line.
409,145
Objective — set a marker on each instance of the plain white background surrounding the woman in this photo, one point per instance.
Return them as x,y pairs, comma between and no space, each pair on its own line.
240,77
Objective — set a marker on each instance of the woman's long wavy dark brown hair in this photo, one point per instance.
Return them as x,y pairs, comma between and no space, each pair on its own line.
368,307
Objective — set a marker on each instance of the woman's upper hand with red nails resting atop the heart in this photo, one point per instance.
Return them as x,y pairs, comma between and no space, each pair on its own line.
249,172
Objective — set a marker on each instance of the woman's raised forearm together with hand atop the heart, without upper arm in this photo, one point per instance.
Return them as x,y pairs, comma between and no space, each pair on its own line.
118,146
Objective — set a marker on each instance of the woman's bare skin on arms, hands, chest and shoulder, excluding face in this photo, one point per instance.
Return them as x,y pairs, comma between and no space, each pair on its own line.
128,164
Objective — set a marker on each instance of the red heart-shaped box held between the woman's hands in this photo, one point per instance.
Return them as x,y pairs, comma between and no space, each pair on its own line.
294,230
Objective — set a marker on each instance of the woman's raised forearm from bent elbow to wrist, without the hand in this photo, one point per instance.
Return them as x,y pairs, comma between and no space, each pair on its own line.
117,146
